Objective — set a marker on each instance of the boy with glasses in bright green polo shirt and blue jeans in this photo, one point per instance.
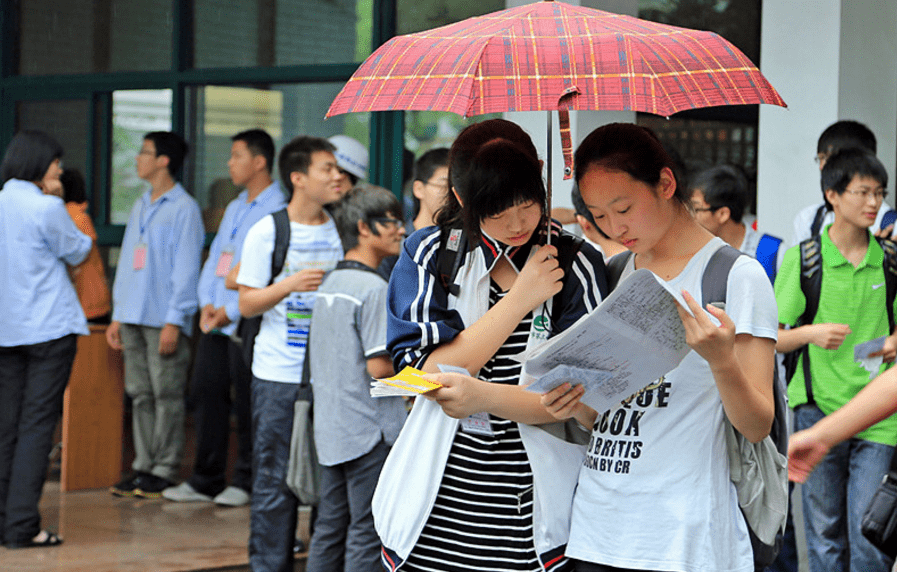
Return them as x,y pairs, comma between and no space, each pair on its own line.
852,310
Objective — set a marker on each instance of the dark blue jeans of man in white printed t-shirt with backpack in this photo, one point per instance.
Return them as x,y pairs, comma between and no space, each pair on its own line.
273,514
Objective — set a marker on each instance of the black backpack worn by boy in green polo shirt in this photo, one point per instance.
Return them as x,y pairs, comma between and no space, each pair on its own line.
811,285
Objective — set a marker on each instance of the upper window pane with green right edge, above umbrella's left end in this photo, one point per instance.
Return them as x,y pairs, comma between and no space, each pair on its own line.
285,32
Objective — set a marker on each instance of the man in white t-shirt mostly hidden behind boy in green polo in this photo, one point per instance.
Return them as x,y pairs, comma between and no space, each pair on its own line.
811,219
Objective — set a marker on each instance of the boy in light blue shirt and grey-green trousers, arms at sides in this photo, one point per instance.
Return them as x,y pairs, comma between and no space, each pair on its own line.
154,299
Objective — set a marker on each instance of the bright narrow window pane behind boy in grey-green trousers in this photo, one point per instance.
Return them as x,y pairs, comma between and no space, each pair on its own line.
134,113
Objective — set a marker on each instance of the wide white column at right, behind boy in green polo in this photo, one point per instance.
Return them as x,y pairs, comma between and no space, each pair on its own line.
830,60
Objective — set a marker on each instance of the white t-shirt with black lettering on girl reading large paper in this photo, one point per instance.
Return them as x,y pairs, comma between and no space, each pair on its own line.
654,491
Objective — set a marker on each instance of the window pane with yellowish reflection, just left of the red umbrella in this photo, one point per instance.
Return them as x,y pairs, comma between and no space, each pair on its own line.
284,111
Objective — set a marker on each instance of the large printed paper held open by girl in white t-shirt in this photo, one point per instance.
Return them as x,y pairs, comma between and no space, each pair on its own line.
634,337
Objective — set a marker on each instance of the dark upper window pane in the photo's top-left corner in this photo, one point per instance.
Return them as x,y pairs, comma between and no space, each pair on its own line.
84,36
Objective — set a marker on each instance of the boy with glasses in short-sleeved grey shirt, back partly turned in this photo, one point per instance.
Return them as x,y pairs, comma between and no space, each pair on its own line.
353,431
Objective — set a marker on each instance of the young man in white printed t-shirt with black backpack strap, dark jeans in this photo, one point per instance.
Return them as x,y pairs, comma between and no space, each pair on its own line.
307,167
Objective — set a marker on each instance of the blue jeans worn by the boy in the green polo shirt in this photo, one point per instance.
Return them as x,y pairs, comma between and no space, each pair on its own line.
834,498
